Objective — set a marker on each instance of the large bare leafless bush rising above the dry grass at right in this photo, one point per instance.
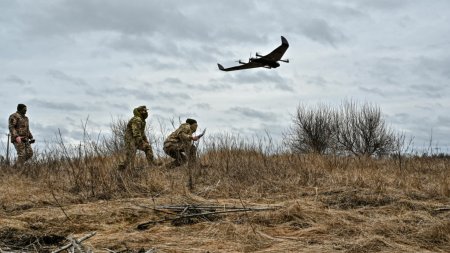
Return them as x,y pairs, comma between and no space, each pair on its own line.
352,129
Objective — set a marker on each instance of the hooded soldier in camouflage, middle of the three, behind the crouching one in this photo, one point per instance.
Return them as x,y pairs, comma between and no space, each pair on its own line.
135,139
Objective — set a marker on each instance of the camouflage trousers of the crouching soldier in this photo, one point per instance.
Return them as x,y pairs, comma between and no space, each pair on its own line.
182,153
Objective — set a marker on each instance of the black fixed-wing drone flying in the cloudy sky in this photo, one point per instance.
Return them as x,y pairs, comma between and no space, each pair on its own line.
267,61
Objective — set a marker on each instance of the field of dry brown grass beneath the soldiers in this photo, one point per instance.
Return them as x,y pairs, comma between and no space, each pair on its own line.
327,204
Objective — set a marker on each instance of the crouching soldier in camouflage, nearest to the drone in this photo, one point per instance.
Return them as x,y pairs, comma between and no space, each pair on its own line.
179,144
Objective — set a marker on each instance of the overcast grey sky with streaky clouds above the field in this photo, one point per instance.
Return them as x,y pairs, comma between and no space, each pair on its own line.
95,60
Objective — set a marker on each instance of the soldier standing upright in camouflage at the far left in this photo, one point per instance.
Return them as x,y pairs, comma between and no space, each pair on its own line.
21,136
